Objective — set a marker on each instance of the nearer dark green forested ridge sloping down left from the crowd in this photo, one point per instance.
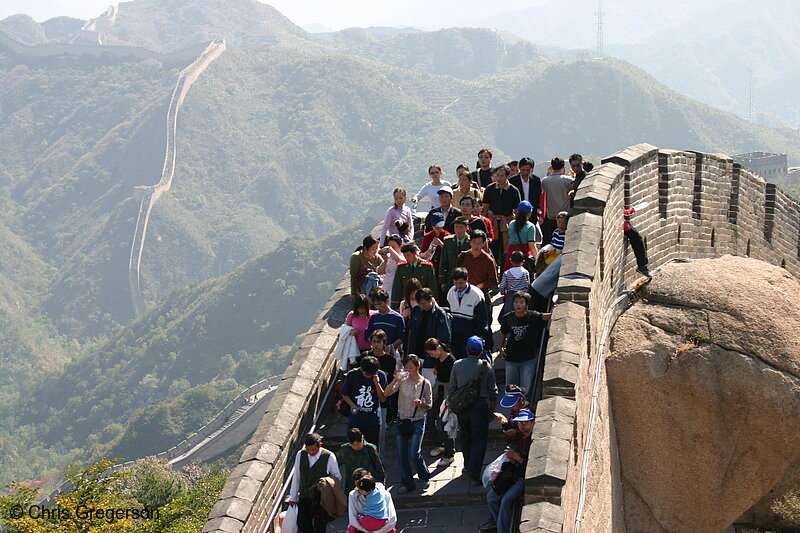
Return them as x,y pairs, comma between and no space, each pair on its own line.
184,359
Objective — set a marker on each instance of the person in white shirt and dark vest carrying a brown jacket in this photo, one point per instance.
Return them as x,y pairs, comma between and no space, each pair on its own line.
311,464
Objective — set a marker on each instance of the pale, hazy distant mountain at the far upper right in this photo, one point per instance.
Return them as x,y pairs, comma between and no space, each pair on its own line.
714,64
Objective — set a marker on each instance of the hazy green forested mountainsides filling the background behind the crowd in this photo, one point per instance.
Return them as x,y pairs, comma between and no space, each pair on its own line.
284,139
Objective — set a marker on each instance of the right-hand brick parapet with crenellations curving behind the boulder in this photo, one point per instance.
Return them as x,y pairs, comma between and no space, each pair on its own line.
700,206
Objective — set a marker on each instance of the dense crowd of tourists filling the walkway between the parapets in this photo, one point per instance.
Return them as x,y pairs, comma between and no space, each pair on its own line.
418,346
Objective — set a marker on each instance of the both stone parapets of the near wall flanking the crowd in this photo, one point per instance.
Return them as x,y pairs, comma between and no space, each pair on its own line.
702,205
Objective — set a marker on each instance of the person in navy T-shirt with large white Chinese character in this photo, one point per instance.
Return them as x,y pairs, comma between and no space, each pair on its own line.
363,392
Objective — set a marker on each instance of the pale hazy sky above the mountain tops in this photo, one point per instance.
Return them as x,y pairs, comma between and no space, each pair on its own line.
563,23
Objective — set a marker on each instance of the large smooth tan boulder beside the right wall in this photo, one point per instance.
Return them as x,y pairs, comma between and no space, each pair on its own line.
704,385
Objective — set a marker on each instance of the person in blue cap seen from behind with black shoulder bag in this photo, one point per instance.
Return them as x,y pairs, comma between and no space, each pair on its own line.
473,426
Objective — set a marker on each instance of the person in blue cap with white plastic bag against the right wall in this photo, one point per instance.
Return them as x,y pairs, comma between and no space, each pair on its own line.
501,499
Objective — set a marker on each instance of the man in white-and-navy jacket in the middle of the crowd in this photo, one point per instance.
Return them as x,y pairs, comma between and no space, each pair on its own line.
468,310
